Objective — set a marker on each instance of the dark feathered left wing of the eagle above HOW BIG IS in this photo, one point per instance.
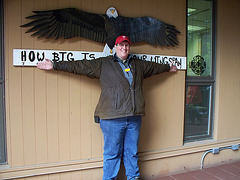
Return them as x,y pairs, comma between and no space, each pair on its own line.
67,23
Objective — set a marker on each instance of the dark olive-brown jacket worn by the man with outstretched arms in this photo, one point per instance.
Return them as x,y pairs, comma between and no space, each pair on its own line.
118,98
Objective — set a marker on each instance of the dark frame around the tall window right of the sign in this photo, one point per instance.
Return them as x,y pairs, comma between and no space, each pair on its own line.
203,81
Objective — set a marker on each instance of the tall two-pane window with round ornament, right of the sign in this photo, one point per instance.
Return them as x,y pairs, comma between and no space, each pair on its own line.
200,70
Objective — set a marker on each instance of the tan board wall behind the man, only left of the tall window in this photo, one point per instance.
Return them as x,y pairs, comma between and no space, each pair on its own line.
50,121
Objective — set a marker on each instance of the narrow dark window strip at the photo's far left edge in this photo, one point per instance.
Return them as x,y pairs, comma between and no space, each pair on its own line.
2,100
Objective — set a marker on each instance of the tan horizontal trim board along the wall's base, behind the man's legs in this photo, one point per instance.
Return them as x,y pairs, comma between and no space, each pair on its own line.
80,165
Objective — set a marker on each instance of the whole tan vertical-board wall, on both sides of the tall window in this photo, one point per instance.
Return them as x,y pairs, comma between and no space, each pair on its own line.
50,127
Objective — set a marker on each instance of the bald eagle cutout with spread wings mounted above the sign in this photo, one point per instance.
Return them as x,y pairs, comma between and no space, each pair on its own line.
104,28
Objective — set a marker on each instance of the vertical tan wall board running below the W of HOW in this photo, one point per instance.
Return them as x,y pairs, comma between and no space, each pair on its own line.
40,98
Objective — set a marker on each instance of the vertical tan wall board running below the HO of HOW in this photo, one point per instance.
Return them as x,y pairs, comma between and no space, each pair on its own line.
28,101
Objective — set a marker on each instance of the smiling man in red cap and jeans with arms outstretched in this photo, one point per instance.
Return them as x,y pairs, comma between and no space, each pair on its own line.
121,104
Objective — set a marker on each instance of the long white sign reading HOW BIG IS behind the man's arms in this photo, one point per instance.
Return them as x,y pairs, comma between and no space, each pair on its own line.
28,57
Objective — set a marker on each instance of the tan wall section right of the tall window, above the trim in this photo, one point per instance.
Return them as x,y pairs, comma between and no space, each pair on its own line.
228,75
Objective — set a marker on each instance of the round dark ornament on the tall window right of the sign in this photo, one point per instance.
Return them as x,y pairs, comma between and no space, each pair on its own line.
198,65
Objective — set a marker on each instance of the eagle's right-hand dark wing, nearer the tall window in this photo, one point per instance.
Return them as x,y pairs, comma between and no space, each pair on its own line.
145,29
